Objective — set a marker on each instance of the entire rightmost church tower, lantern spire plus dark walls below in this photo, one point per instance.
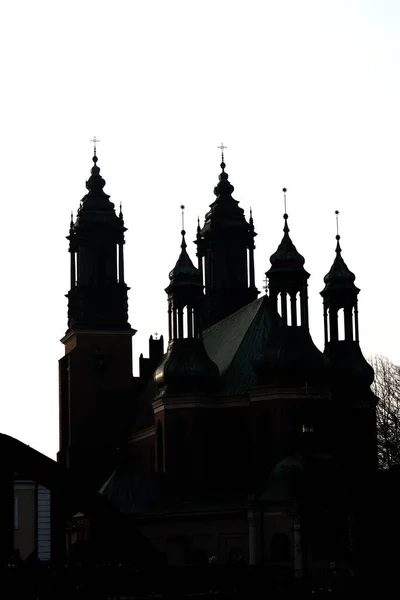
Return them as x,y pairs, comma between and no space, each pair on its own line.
353,423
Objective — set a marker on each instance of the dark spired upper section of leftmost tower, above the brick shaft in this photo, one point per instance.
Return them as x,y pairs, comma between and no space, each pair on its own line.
98,295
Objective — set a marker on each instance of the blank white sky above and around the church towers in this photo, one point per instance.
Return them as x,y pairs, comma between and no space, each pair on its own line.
305,94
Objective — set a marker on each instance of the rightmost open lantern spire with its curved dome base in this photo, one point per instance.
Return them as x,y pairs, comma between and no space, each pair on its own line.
341,331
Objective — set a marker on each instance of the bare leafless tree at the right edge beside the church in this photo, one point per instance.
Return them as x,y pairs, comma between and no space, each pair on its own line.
387,387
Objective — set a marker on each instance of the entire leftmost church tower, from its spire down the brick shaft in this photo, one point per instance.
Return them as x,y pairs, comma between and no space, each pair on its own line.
95,375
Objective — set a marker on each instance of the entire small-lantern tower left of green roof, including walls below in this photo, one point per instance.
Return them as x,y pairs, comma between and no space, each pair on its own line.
185,378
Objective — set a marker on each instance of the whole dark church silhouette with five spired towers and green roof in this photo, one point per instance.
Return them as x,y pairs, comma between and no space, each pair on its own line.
241,440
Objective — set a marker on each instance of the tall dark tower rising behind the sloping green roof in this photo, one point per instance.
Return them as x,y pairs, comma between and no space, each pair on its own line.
225,250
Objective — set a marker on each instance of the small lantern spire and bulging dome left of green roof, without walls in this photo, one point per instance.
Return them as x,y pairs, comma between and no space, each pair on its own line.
186,367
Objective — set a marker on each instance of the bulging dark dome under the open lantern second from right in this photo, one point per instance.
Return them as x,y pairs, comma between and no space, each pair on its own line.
290,357
